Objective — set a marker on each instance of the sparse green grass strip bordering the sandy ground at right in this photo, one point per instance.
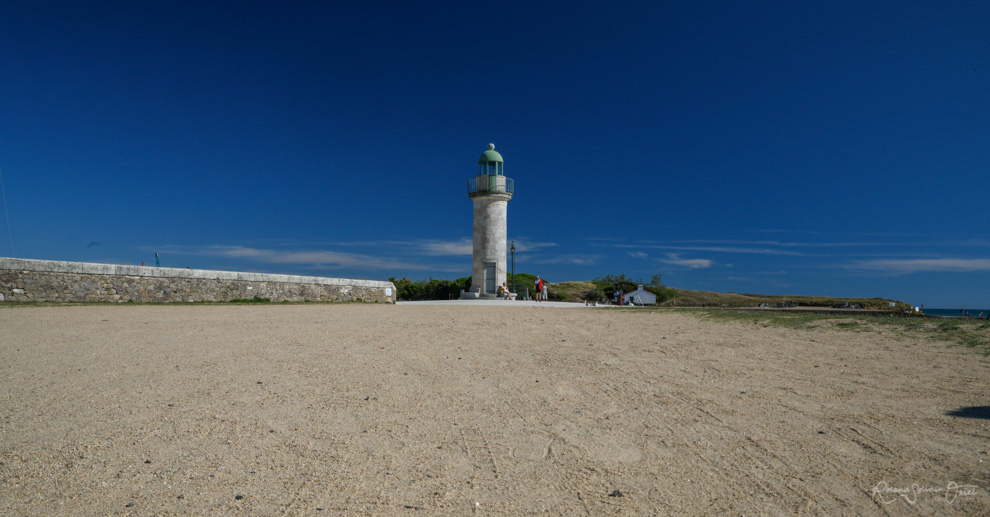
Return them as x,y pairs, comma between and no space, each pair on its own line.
972,333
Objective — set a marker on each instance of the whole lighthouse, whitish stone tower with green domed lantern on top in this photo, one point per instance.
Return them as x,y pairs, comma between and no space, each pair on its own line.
491,191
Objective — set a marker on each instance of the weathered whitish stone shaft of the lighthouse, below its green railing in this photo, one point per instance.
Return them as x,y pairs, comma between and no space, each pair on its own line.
488,264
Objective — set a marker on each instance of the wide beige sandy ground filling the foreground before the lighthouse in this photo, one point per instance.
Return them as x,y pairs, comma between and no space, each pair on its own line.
461,410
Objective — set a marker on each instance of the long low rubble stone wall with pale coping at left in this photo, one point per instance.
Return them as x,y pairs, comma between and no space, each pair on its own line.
26,280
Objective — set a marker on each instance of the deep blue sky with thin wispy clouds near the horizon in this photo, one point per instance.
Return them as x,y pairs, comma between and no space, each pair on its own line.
836,148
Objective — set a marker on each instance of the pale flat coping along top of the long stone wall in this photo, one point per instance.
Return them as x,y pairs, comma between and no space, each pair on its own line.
90,268
